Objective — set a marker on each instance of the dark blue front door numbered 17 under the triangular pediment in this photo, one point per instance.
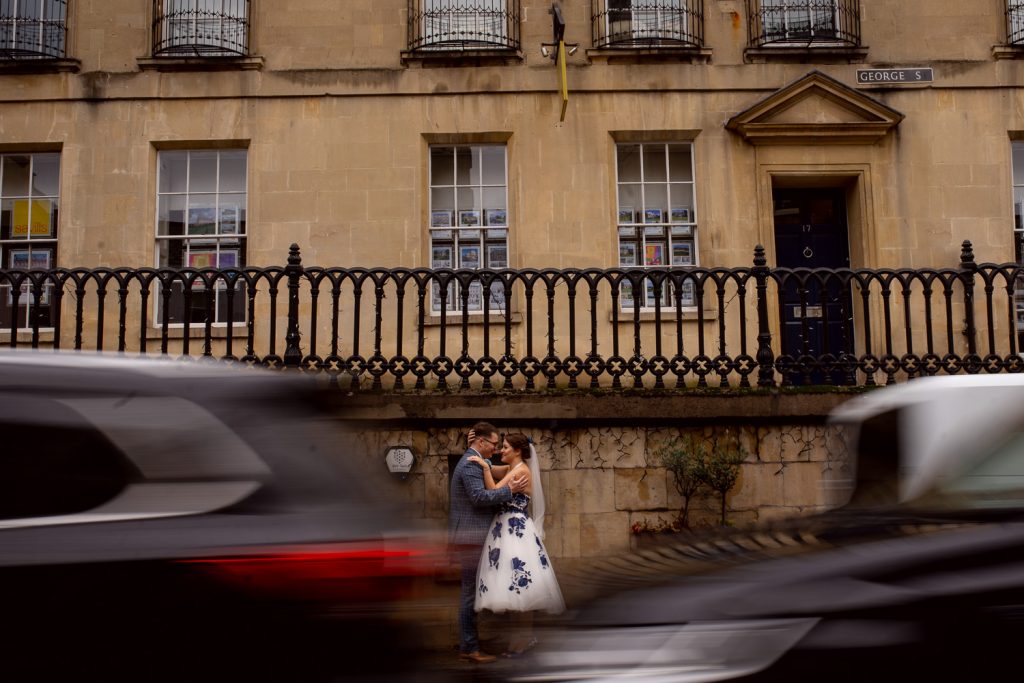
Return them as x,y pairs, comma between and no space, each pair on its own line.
817,316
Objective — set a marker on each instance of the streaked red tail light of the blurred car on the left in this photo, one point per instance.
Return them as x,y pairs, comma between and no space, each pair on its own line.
354,573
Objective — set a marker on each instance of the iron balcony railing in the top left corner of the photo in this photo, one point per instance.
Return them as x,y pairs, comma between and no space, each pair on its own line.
33,29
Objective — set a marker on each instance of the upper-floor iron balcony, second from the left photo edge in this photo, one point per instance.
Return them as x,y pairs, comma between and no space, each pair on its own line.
201,28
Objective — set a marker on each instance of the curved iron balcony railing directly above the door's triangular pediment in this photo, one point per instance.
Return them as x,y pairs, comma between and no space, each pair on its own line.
804,23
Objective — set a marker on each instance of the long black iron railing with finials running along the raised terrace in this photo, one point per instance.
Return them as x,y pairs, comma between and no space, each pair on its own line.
374,328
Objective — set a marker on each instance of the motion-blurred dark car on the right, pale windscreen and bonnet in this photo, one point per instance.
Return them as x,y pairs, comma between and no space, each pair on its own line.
921,577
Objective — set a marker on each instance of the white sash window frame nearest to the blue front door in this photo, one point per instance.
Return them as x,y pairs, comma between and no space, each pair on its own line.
674,230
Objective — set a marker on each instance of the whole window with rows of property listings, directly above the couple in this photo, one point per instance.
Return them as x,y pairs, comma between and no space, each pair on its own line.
470,220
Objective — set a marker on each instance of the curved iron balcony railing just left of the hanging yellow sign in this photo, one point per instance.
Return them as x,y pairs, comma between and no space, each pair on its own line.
463,25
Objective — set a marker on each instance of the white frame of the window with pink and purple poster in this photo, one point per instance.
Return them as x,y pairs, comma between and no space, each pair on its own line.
228,249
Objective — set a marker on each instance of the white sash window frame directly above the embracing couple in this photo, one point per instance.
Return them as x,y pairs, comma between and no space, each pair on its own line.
491,239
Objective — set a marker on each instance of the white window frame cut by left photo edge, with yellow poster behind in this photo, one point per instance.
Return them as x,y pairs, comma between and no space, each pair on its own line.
19,252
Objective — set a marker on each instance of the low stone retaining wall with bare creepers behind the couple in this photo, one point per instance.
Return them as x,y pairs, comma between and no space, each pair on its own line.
601,480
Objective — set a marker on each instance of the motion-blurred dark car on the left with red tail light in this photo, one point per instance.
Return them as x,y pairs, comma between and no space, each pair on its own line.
167,521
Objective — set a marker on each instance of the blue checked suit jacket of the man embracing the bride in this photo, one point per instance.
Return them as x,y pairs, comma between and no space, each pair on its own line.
473,505
